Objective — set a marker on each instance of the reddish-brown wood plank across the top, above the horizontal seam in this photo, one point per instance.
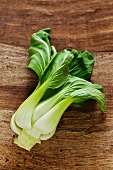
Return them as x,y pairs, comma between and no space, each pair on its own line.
77,24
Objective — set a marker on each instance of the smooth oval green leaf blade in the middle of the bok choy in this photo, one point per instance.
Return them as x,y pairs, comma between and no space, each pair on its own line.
58,69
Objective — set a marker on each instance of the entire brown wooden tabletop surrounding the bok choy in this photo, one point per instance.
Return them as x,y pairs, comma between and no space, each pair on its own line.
84,137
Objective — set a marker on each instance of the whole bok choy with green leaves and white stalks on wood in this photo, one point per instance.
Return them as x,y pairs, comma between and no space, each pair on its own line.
62,82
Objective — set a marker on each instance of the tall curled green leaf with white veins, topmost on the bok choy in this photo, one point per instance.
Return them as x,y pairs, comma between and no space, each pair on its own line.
40,51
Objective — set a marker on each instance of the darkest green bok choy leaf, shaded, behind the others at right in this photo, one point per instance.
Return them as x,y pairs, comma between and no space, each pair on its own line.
82,64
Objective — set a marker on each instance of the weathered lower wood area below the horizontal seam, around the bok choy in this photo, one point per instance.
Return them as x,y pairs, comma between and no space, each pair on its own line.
84,137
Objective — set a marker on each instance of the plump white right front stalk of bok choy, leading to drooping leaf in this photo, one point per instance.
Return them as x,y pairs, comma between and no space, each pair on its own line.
47,123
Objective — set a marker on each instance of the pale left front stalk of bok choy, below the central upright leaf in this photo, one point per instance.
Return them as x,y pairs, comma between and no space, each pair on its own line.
24,113
